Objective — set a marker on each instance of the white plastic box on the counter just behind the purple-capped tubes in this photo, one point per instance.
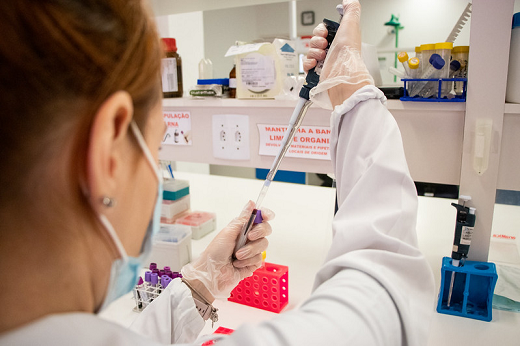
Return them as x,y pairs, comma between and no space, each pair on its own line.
172,247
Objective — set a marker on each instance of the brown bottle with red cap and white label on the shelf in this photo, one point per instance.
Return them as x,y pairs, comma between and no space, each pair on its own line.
171,71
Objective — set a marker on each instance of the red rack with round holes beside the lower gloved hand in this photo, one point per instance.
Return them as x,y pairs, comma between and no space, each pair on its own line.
266,289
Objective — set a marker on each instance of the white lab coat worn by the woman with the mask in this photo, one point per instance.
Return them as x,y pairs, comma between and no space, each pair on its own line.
375,287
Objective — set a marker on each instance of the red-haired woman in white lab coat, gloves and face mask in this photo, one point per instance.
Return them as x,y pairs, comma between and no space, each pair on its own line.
81,130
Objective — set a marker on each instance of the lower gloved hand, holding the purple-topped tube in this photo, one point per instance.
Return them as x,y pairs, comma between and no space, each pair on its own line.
216,270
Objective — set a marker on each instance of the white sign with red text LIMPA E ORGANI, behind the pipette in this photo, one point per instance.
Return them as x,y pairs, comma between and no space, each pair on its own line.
311,142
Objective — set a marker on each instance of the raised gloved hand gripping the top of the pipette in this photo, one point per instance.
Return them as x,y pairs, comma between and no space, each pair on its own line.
344,71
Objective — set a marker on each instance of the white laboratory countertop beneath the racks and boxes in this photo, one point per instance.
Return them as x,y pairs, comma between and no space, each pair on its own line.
301,237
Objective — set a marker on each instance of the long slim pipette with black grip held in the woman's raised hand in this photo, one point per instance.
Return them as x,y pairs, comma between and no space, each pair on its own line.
312,79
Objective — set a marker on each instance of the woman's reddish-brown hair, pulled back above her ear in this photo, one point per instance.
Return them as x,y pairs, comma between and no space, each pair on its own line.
59,61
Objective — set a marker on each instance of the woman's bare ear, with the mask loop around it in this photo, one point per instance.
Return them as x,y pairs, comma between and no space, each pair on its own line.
107,139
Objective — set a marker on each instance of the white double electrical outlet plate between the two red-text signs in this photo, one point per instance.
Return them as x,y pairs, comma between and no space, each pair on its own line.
231,136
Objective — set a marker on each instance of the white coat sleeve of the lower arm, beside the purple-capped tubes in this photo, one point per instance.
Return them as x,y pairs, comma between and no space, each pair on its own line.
171,318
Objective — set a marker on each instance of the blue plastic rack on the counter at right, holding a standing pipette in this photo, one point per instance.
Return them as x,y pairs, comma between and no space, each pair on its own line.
473,288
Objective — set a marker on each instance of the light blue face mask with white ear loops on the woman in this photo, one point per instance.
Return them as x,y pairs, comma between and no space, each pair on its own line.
125,270
